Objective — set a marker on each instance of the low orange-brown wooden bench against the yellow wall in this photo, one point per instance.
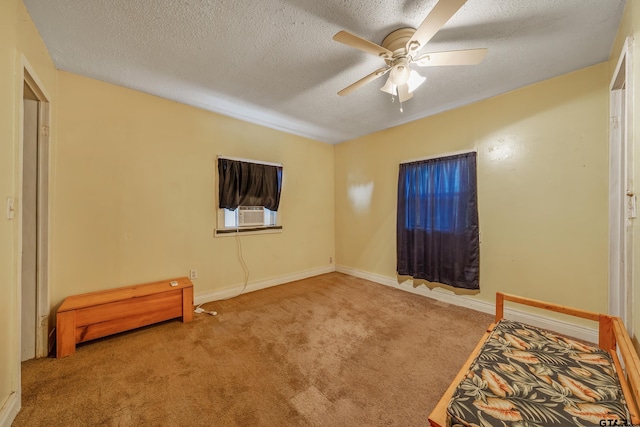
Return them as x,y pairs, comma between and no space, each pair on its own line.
94,315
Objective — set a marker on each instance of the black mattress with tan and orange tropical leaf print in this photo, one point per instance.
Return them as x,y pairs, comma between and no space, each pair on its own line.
524,376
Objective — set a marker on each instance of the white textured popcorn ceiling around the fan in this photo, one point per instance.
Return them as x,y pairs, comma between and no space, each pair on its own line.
273,62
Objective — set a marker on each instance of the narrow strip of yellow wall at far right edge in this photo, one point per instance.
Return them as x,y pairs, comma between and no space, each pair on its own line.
630,26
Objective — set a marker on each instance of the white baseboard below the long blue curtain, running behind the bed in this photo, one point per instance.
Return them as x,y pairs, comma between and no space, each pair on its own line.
559,326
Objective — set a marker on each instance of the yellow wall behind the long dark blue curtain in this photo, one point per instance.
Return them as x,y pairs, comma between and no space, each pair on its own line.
542,189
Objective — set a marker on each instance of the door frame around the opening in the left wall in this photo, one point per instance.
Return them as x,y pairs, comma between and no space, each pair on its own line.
30,78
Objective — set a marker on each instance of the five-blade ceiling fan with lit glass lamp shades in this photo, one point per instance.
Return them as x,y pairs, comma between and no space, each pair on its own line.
400,49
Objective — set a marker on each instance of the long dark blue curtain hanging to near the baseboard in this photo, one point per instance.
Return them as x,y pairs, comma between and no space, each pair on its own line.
437,231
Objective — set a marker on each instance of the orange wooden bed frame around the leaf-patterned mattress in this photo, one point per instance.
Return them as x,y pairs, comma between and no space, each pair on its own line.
612,337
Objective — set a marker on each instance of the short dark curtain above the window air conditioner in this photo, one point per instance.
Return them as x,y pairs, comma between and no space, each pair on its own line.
248,184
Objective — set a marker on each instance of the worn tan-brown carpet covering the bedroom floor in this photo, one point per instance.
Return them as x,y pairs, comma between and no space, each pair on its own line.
332,350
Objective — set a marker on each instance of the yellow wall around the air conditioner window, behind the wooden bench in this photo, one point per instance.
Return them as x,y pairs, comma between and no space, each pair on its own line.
135,186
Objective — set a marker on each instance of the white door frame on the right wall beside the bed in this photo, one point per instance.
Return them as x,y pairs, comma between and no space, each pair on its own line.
622,199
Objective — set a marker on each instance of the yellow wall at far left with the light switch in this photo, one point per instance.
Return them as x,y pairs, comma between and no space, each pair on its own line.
18,39
